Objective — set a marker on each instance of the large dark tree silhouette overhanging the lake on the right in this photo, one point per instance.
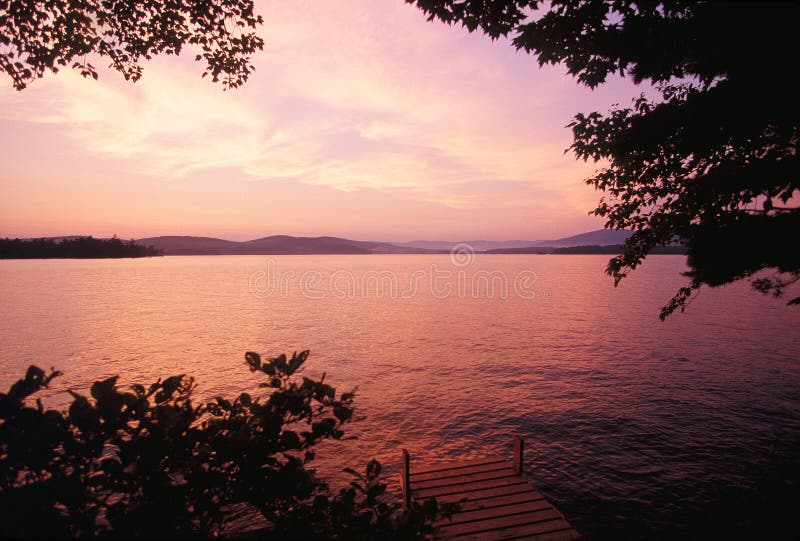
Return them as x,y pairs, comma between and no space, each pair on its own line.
713,164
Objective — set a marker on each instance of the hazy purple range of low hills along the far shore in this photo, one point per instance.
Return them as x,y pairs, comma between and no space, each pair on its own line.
283,244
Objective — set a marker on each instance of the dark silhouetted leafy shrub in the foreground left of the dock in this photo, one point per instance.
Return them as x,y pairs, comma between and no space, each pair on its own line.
148,462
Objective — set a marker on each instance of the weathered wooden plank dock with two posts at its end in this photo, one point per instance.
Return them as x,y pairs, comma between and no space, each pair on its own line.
497,502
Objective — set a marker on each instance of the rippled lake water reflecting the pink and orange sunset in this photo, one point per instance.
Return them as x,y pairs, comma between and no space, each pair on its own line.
628,421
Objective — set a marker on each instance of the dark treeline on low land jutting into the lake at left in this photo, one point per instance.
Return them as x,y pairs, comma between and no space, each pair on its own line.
74,247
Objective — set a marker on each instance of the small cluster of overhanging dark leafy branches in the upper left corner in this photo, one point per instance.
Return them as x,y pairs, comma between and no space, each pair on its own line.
37,36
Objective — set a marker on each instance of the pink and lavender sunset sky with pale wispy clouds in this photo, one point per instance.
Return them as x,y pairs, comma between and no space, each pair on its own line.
362,120
